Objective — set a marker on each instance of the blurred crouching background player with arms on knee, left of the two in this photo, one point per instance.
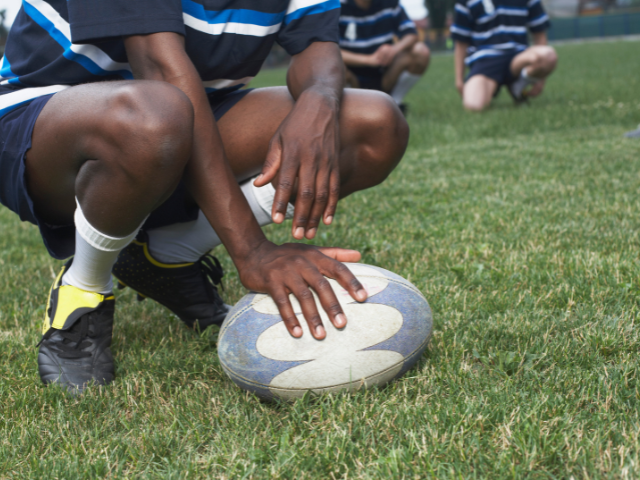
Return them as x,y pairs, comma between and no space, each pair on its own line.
380,47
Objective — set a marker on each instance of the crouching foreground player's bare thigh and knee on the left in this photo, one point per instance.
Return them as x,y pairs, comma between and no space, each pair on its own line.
96,122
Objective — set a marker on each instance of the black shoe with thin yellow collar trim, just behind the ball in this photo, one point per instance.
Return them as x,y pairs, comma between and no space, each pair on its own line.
187,289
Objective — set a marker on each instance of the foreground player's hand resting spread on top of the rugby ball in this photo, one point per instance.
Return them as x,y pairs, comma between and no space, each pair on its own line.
295,268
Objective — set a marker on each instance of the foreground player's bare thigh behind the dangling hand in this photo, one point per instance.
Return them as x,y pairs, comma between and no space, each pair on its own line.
247,129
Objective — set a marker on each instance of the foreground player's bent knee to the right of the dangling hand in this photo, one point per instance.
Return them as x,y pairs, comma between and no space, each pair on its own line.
388,135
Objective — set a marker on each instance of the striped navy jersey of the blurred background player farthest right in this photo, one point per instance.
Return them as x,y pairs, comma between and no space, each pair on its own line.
496,27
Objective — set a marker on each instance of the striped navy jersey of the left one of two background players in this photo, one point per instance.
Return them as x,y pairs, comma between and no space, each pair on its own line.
363,31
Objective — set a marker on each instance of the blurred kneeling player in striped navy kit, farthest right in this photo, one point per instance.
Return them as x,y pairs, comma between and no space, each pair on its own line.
492,40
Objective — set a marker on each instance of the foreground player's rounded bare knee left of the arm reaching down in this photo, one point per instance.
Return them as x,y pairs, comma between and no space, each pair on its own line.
153,121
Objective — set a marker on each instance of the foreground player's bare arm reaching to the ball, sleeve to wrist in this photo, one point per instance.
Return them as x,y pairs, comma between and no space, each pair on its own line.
208,175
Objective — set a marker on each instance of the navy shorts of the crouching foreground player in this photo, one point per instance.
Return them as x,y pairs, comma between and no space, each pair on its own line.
16,128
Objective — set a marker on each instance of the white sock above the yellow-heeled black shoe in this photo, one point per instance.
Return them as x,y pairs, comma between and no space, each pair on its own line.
95,255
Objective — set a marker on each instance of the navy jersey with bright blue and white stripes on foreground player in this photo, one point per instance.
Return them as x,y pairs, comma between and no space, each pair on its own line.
55,44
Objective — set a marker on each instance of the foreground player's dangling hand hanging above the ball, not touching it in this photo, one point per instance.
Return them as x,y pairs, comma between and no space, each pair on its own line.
304,152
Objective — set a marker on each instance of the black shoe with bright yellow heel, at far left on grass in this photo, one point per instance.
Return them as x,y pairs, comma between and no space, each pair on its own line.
74,350
